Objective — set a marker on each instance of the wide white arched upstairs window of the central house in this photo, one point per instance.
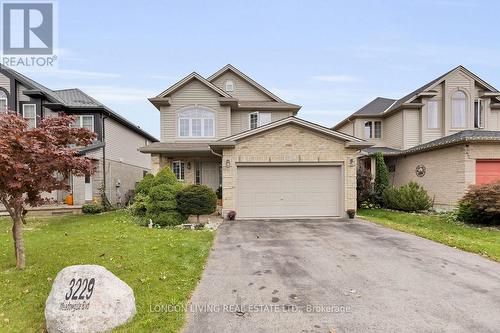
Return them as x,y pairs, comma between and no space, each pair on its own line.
196,122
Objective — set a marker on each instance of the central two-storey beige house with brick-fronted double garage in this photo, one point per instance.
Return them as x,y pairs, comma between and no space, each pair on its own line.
229,132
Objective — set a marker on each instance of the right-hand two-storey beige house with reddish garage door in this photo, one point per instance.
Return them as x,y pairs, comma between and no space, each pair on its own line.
445,135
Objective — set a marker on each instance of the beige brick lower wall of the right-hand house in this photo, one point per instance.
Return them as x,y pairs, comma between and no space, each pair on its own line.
449,171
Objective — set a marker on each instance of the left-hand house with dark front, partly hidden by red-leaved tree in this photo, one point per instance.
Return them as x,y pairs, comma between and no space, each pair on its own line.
118,163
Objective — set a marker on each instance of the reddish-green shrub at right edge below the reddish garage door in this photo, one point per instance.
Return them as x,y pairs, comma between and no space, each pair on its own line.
481,204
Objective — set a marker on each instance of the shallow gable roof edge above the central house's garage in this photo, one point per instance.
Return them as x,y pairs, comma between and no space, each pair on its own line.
354,141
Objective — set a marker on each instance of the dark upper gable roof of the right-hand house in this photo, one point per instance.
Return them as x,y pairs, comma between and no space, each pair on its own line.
378,107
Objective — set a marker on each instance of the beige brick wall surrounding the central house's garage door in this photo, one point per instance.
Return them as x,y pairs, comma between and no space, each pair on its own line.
289,144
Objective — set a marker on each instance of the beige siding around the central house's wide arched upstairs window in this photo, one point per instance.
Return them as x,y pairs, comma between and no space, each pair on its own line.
193,93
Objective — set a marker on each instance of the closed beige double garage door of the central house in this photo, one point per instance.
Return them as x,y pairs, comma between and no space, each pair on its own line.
289,191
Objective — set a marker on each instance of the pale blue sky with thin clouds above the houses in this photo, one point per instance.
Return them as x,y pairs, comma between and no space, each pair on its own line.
331,57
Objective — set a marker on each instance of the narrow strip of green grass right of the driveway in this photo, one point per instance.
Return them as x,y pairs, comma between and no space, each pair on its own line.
481,240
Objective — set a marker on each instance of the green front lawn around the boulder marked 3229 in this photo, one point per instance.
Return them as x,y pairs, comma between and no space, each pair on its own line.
162,266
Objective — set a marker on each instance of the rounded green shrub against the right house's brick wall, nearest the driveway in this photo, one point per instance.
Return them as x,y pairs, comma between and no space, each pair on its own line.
409,198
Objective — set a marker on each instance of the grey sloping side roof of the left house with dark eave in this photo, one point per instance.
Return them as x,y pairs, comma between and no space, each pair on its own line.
76,99
